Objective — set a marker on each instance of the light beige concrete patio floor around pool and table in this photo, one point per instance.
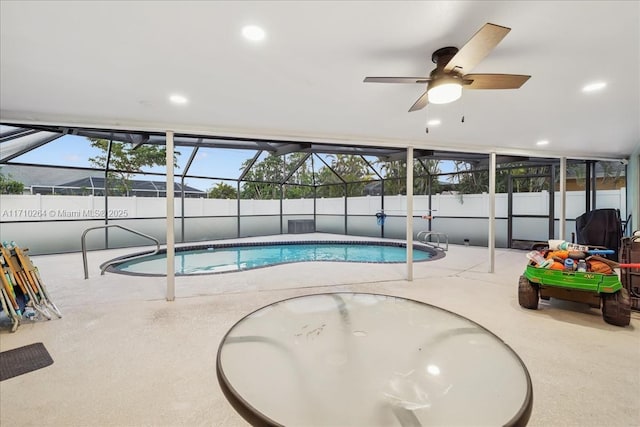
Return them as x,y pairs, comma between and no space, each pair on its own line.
124,356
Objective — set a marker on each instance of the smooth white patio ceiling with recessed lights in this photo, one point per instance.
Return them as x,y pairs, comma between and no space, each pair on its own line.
114,64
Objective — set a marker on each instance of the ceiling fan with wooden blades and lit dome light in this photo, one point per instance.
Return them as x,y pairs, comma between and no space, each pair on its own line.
446,81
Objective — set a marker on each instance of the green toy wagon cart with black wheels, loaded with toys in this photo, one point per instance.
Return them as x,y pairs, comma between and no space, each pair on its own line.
576,273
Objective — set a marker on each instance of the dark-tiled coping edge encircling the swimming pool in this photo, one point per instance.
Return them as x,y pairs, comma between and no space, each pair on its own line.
436,253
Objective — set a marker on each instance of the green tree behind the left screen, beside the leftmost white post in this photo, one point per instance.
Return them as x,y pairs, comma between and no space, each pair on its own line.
126,161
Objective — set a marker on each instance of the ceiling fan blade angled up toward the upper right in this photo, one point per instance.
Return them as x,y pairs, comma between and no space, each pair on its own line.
479,46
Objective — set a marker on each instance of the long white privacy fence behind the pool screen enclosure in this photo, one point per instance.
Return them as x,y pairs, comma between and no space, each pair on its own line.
51,224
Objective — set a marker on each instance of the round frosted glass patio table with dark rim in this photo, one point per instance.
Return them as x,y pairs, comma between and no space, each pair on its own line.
357,359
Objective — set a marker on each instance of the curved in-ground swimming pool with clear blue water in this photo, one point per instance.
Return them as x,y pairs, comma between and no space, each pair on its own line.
220,258
